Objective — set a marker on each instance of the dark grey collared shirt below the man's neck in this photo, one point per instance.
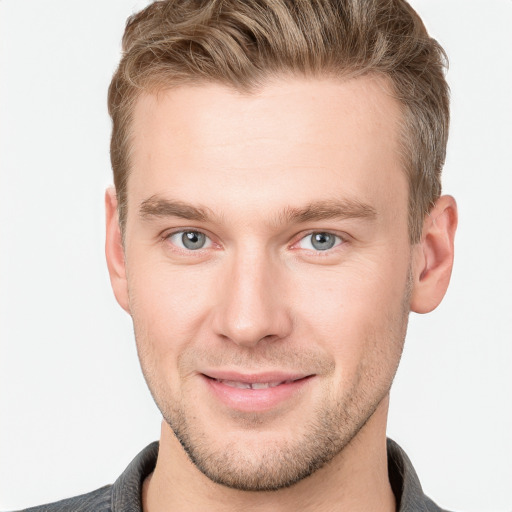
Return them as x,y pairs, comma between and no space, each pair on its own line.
125,494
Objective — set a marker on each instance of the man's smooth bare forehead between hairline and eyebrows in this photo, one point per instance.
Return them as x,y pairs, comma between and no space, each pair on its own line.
314,138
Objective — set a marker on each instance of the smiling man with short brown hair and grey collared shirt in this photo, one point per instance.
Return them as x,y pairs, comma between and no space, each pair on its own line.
276,215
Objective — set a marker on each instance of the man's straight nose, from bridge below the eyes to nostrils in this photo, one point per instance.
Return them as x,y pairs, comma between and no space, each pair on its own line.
252,301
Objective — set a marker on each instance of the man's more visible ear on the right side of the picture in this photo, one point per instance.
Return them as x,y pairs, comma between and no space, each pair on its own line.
433,256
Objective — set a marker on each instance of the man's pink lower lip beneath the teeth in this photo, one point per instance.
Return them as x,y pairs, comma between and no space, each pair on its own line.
256,400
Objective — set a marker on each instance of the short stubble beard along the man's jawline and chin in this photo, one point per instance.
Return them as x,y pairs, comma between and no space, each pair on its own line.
331,427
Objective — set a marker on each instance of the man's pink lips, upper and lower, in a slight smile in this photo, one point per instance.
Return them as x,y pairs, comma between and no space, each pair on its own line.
228,388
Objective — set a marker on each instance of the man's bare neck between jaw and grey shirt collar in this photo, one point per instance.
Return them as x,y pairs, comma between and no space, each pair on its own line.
356,480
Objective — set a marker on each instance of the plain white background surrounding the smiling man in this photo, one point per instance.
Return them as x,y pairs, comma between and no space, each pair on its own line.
74,408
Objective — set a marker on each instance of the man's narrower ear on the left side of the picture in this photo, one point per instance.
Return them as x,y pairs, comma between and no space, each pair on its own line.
114,251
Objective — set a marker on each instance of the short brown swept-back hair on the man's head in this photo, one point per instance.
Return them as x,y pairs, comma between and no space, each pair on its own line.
241,43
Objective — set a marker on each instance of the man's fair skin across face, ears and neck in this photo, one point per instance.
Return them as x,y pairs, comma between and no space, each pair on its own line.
259,174
